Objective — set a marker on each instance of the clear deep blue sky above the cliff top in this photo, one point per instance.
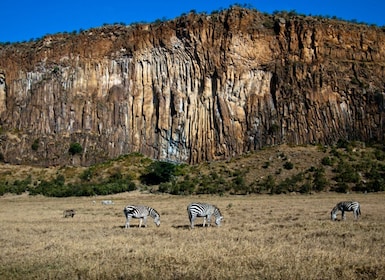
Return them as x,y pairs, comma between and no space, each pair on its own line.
23,20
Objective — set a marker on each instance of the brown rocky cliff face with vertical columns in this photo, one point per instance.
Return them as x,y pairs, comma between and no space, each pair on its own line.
197,88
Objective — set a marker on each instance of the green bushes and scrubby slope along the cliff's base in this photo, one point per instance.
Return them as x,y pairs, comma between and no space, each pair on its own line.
344,167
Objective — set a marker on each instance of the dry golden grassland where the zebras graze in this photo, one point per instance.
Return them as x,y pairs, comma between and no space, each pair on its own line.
261,237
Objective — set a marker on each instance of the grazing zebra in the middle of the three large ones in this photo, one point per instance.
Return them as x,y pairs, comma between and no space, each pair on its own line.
204,210
